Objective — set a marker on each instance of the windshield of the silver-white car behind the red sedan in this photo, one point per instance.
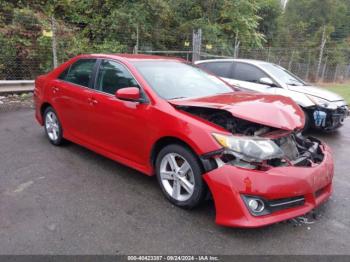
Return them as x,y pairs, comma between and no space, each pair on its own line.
282,75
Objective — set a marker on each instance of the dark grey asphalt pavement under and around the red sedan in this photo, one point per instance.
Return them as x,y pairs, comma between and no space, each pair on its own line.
69,200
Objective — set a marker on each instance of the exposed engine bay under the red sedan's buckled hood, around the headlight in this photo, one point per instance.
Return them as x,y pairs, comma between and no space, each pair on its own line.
297,150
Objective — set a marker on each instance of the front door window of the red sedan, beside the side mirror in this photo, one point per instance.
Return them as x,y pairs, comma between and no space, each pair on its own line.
113,76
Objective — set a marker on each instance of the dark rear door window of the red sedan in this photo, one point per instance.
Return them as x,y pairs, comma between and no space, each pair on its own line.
80,72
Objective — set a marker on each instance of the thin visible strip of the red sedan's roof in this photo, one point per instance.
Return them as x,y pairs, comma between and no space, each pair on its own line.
135,57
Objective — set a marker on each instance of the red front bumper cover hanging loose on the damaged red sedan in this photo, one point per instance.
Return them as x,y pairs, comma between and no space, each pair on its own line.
228,183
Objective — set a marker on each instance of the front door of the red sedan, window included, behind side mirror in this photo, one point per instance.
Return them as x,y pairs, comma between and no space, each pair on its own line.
120,127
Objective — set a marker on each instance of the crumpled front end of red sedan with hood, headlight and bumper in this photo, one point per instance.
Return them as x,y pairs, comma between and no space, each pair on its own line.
262,174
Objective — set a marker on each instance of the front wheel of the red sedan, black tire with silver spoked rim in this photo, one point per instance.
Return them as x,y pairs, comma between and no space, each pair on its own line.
179,175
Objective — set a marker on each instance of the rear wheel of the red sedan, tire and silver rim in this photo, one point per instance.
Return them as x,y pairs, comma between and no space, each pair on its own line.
53,127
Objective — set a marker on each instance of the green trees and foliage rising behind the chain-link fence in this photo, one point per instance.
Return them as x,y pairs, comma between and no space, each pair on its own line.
112,26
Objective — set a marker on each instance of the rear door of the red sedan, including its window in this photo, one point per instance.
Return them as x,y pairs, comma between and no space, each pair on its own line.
71,93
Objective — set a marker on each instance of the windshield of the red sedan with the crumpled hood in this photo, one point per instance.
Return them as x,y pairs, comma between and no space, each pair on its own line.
175,80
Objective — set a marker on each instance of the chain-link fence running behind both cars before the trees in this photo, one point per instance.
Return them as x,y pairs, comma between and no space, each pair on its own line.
30,42
